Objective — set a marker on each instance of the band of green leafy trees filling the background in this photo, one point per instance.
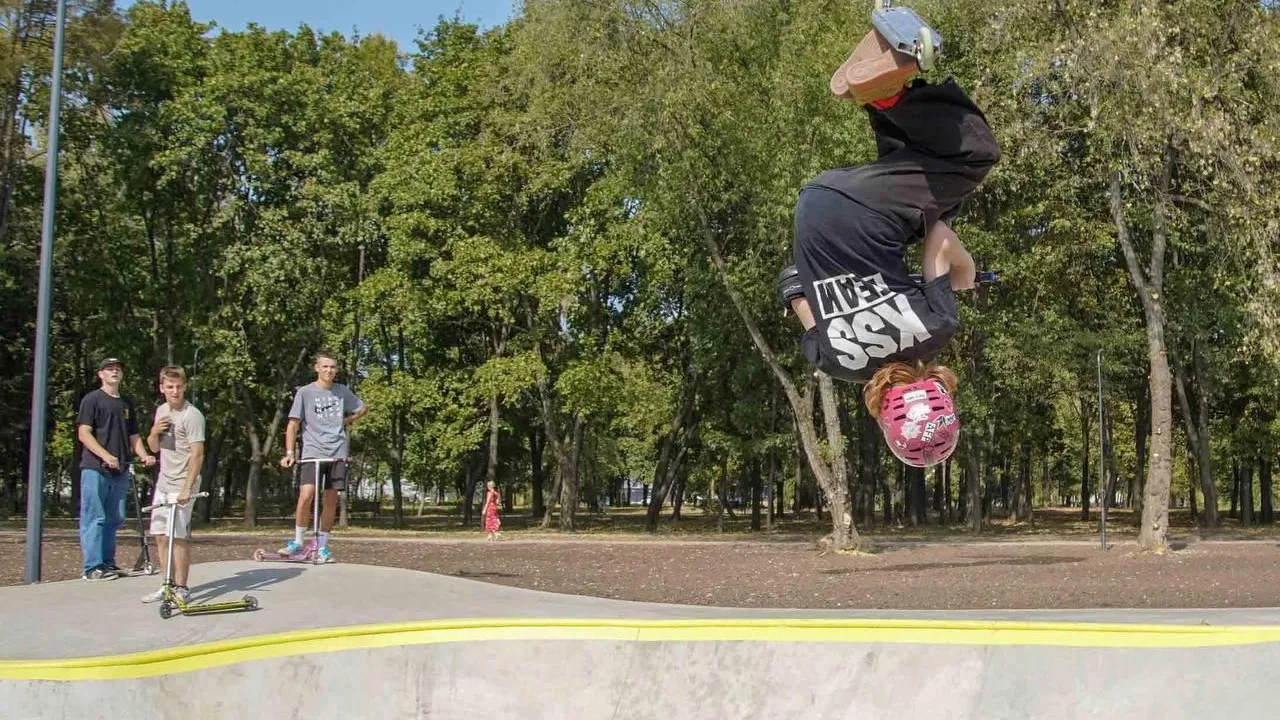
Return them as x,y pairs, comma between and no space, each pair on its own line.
546,252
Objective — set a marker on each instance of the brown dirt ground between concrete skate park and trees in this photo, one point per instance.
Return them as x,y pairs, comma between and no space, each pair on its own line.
895,575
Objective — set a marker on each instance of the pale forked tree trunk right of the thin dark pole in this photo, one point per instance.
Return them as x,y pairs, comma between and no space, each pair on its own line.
1154,534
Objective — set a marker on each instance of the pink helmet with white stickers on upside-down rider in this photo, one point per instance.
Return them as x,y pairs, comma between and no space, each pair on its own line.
920,423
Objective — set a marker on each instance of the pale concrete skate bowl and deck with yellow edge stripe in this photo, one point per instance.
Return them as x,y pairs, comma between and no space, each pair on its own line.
353,641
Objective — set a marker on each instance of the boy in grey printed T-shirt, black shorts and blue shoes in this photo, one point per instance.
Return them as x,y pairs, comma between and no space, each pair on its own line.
323,409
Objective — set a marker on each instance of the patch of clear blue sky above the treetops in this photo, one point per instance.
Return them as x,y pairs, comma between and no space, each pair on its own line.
399,20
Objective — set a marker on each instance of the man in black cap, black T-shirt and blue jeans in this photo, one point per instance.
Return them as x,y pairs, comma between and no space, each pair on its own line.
107,427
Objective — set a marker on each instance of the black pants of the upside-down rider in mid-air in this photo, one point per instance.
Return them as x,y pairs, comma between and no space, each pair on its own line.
935,148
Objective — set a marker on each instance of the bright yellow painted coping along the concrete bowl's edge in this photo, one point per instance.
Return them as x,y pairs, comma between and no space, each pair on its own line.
831,631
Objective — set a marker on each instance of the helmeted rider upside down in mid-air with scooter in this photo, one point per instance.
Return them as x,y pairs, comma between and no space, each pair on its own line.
866,318
